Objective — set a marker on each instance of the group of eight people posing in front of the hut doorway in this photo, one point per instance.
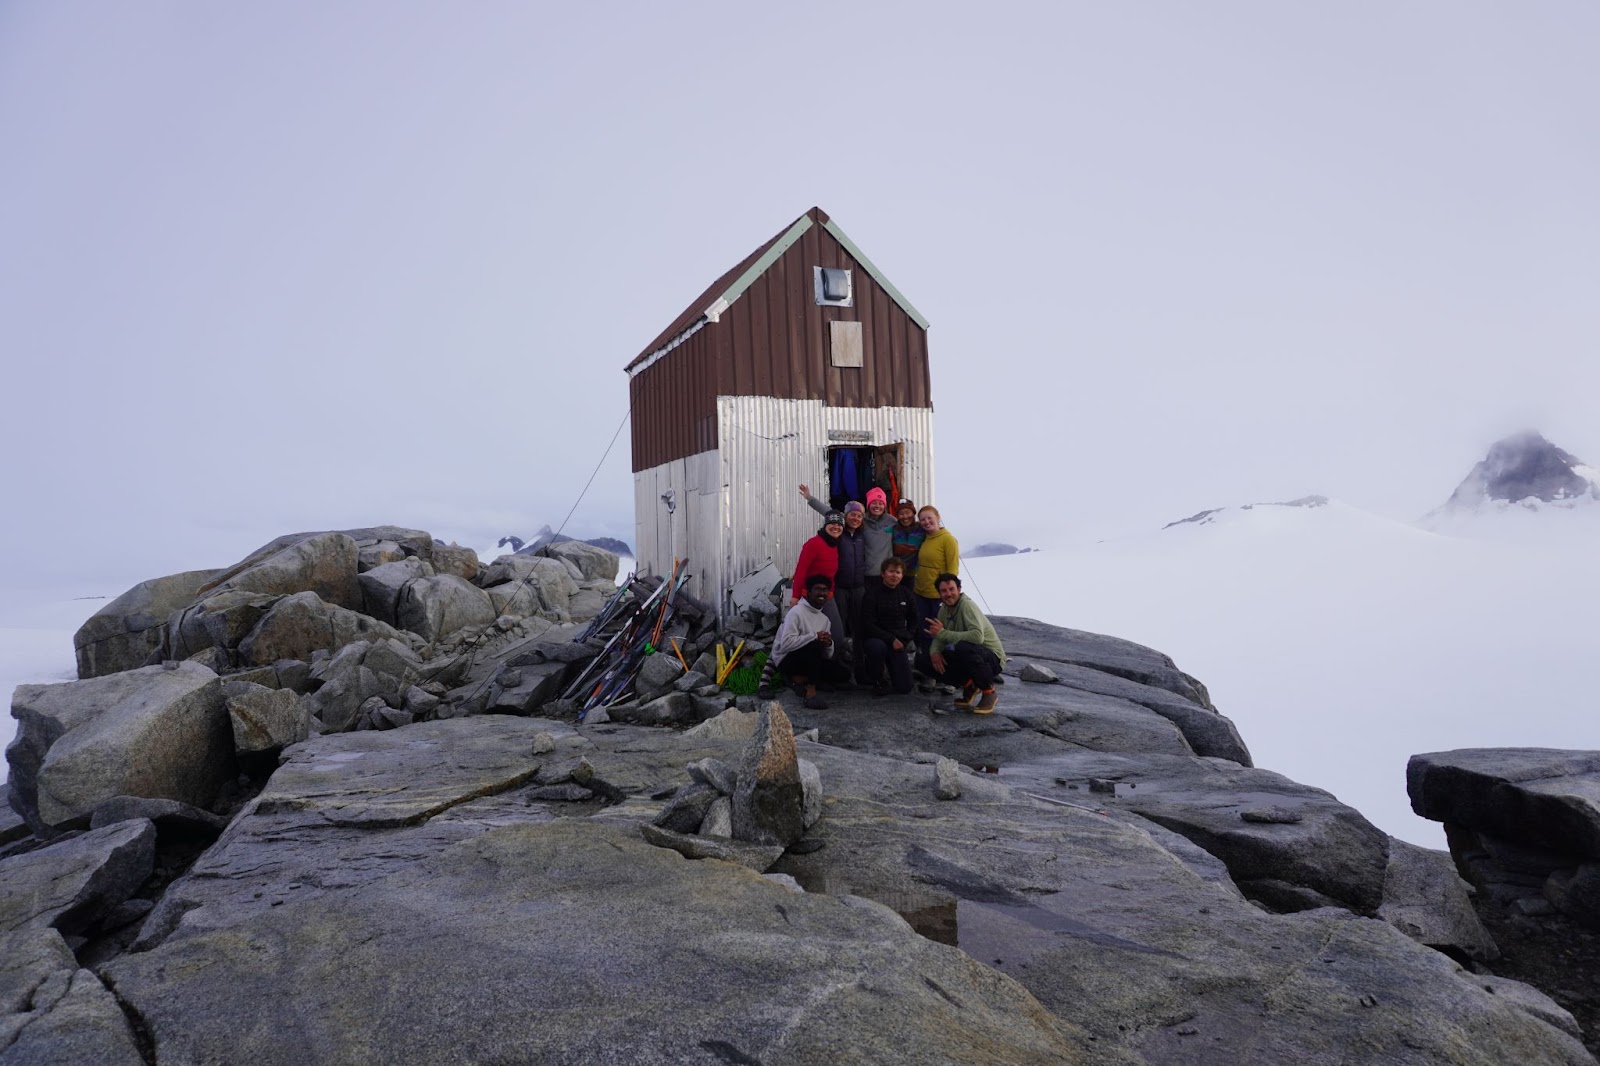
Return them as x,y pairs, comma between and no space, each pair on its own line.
878,596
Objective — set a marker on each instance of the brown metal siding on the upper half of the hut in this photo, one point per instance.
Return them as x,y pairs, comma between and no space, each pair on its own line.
775,342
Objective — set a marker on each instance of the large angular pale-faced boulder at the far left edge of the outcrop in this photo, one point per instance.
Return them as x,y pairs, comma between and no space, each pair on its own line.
153,732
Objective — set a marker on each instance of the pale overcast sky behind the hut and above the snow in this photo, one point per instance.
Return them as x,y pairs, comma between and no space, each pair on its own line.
292,266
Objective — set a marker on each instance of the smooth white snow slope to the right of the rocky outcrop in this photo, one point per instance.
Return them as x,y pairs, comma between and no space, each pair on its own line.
1342,643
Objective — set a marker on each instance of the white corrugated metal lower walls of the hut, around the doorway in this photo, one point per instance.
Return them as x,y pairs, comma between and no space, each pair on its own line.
740,507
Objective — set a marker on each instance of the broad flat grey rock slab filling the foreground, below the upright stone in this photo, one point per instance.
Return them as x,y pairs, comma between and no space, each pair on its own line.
1084,937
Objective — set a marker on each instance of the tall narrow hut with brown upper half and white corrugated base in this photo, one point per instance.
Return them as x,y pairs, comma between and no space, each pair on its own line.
801,364
